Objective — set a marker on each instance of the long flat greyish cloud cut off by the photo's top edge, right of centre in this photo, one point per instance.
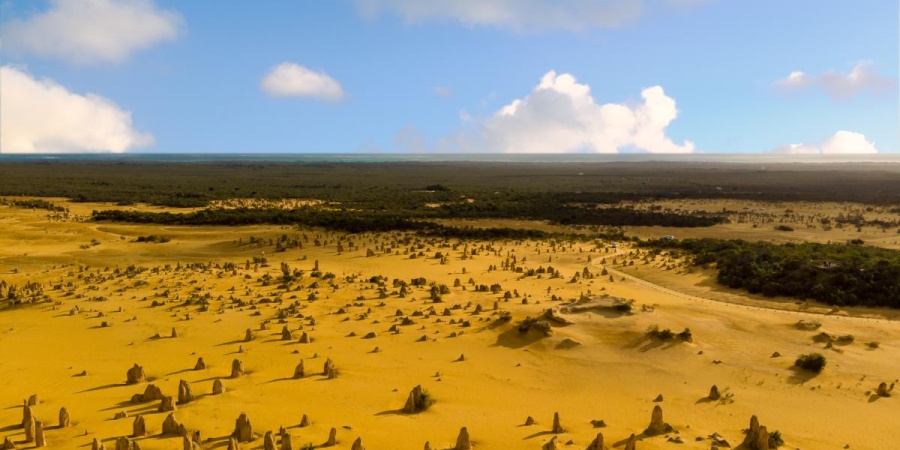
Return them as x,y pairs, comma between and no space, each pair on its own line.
519,15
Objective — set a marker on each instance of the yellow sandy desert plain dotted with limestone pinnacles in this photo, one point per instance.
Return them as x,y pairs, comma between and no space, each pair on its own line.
395,310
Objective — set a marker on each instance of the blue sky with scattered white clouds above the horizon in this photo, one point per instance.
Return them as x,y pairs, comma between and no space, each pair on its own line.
347,76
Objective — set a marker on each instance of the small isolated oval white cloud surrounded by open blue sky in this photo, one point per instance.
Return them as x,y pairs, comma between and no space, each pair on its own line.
291,80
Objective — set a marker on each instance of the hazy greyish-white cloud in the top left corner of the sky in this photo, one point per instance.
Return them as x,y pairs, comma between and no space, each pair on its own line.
92,31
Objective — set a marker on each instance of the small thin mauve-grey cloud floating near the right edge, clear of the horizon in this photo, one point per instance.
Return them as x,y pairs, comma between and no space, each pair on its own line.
860,79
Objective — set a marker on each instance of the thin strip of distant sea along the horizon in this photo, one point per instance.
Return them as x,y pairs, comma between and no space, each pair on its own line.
452,157
